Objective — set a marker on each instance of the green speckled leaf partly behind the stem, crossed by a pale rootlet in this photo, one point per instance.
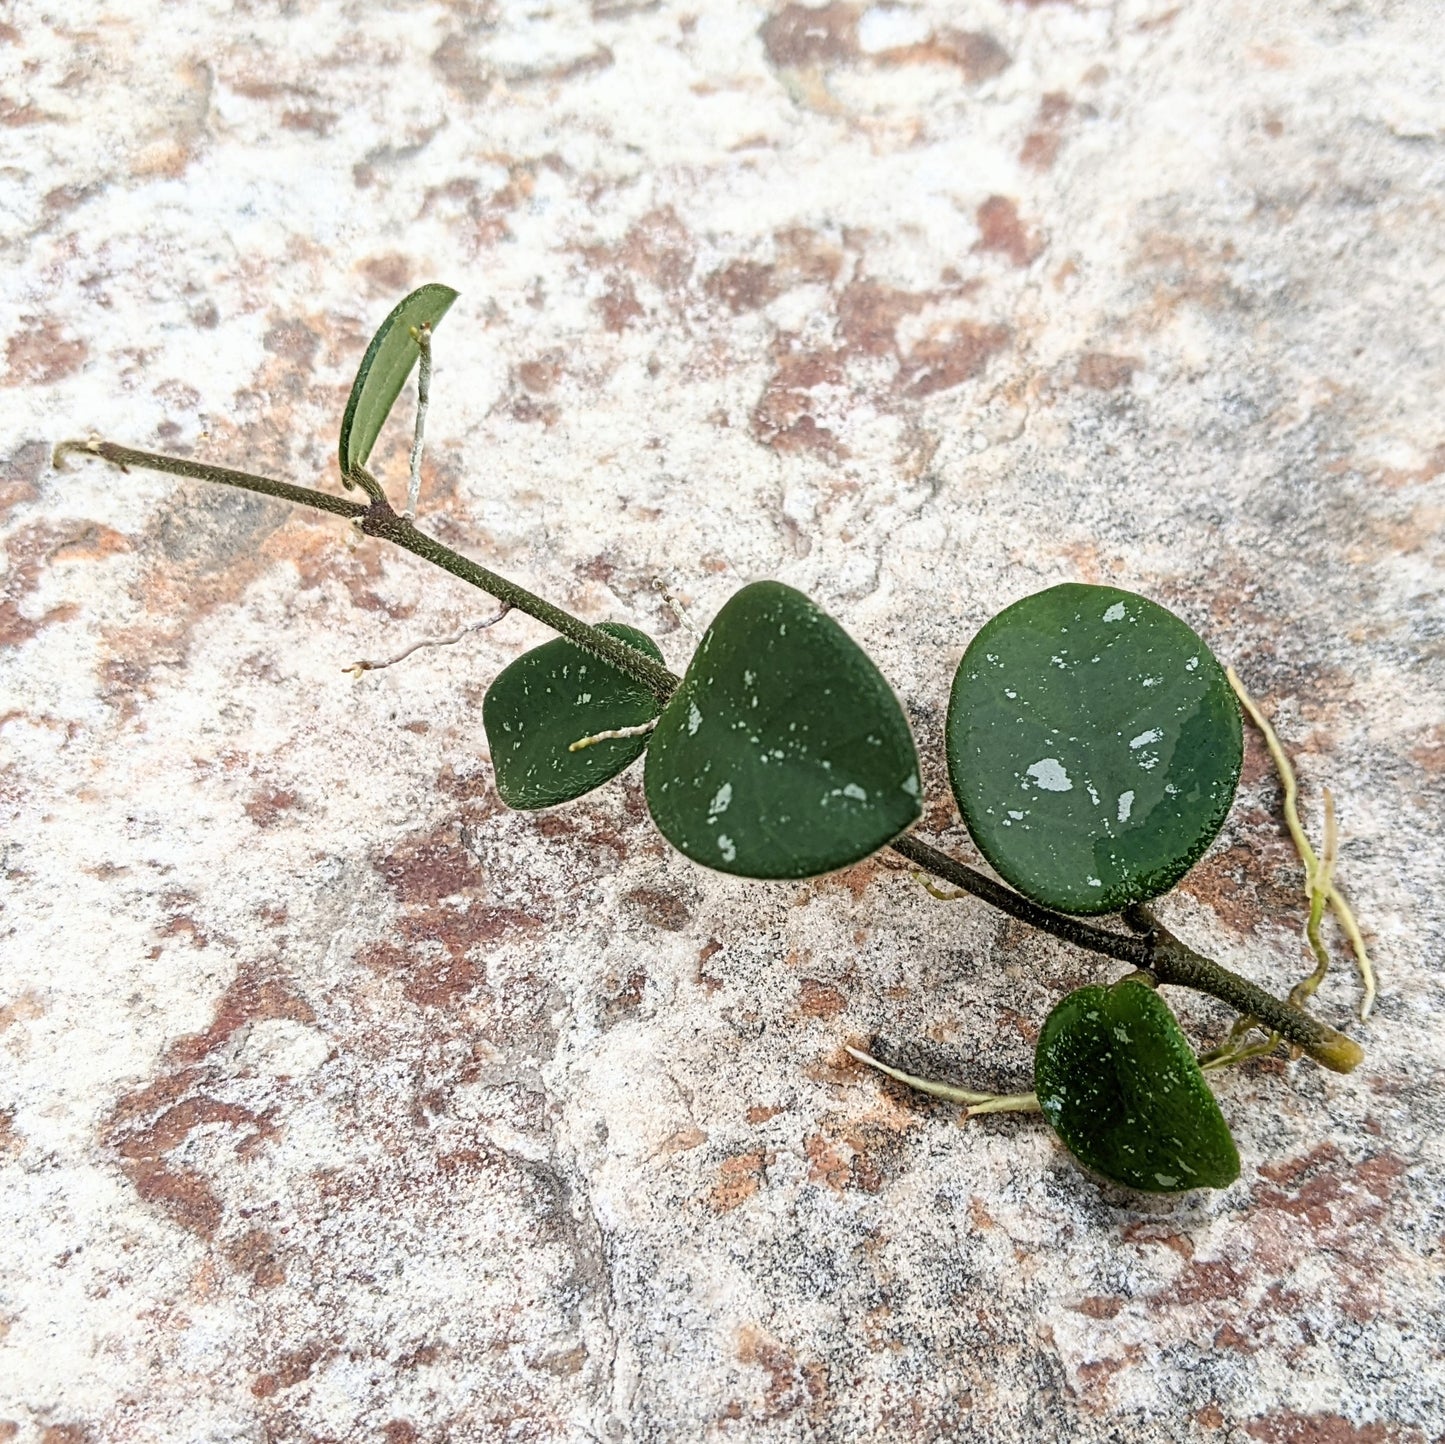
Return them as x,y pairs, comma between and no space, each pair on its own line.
556,696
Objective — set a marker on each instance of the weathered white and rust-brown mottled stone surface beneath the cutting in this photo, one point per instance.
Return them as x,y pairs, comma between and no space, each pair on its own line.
339,1104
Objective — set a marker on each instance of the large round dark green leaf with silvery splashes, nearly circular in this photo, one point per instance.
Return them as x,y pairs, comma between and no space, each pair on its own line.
1095,747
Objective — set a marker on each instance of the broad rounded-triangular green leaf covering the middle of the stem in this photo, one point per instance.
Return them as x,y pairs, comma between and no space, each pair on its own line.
784,754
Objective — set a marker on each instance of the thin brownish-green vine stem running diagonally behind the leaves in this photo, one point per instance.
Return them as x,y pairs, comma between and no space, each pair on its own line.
1158,952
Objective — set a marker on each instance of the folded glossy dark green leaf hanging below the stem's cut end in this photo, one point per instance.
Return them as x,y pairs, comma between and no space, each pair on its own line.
1122,1088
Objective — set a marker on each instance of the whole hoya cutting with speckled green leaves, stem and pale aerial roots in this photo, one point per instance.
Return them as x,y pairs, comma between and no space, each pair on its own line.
1093,742
